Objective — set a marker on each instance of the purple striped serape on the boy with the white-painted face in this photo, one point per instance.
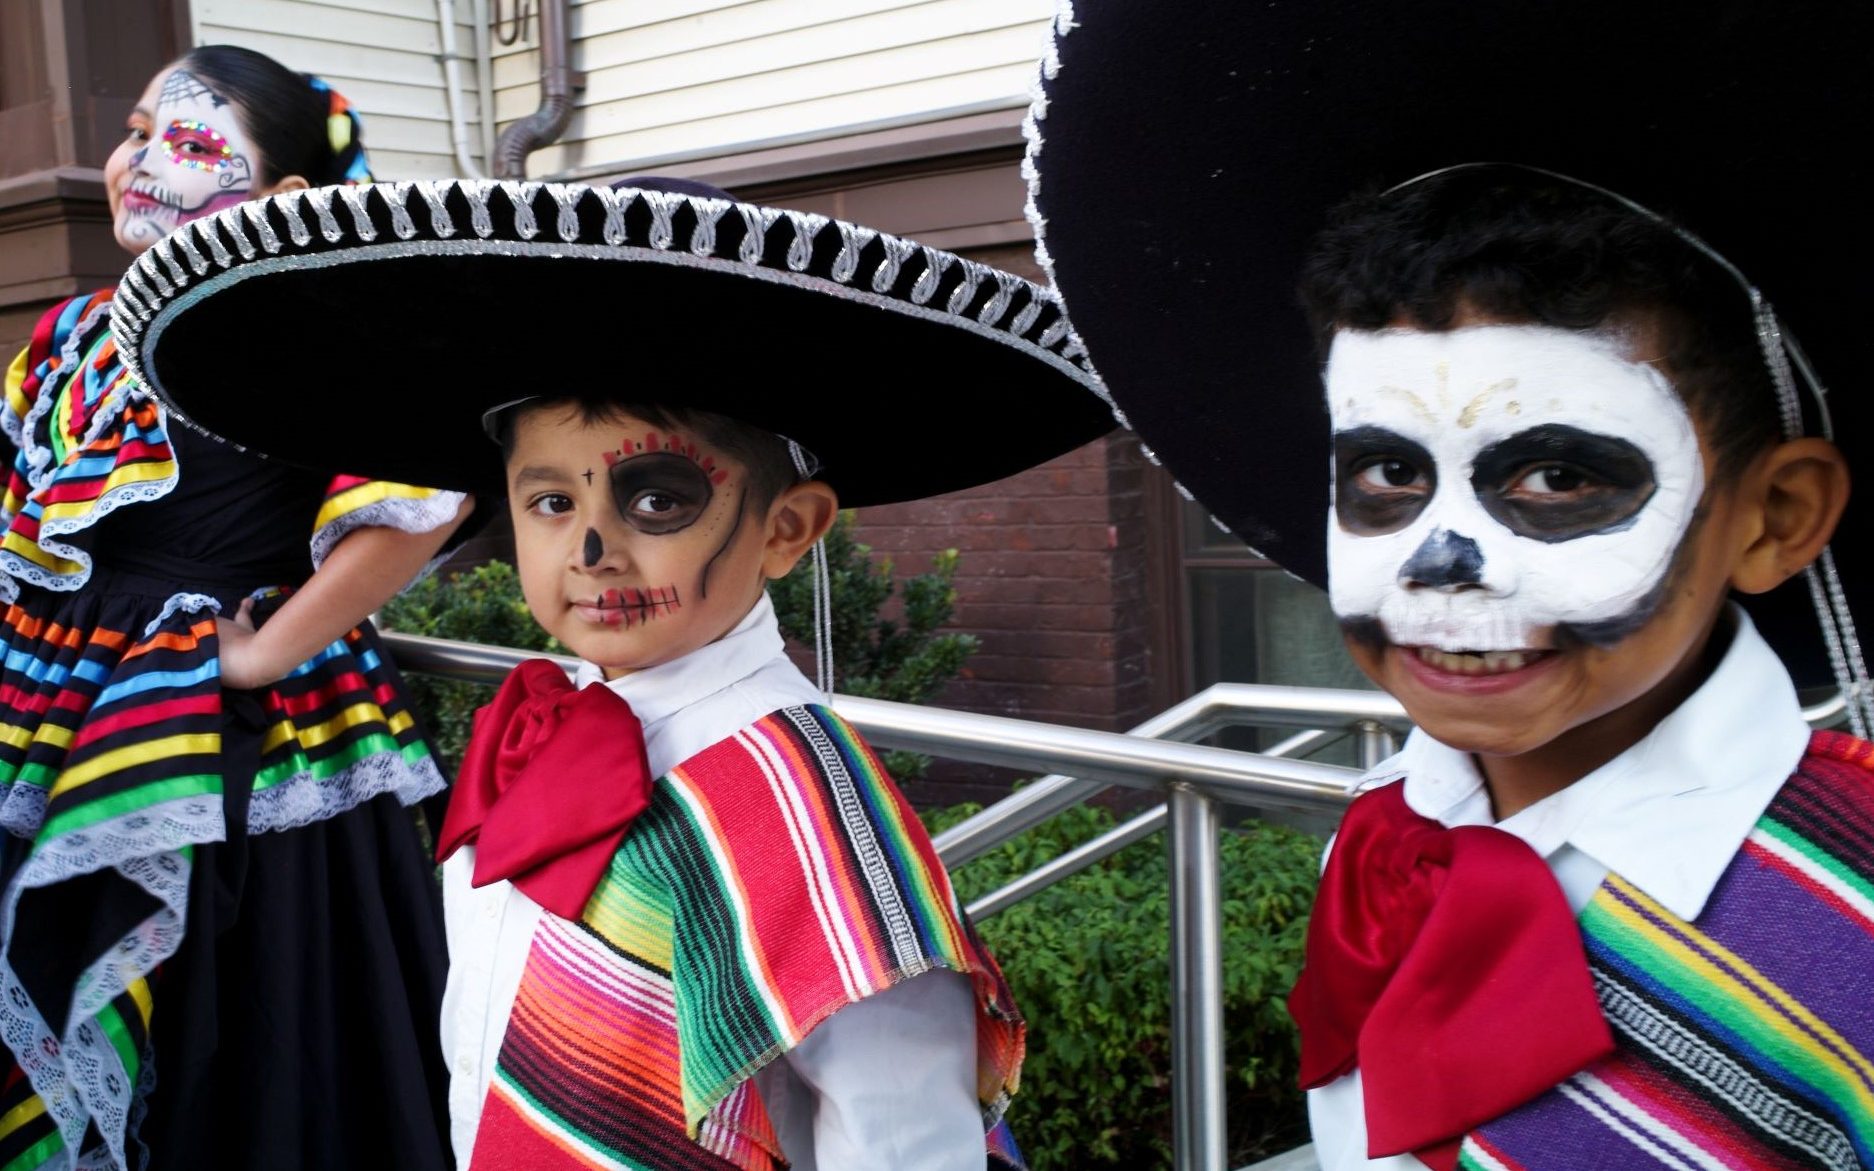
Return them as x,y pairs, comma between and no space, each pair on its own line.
1744,1039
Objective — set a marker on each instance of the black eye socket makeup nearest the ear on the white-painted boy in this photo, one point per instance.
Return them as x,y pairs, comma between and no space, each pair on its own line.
1556,482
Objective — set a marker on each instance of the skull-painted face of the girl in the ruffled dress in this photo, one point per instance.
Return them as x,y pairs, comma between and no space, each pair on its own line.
186,156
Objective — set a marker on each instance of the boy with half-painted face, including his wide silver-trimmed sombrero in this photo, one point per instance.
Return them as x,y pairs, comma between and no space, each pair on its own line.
692,923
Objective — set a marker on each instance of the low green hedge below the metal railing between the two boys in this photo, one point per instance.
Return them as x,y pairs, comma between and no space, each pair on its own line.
1090,966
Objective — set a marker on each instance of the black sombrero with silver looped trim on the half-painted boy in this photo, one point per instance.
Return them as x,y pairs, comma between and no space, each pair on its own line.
370,329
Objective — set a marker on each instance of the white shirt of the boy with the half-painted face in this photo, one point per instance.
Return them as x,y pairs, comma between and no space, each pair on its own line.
889,1082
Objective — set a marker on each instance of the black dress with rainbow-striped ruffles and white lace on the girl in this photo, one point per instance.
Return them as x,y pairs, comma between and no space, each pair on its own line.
141,801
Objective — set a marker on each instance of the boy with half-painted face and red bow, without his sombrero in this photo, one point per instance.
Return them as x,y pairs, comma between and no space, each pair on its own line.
644,539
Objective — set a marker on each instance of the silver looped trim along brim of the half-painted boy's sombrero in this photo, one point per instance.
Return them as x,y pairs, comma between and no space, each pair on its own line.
160,286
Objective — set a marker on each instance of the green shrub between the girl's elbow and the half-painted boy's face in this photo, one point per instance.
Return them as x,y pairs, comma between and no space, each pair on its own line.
477,606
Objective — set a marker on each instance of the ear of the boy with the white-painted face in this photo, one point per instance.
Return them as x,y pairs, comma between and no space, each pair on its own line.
1800,490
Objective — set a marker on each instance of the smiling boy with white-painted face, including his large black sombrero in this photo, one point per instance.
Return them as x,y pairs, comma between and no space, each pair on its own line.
1613,906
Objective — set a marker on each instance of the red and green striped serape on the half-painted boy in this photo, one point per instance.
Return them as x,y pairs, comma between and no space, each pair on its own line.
775,880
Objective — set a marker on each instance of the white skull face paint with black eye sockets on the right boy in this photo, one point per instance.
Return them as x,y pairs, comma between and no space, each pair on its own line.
1498,484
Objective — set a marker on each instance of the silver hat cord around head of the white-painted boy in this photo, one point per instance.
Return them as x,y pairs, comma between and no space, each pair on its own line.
1785,361
